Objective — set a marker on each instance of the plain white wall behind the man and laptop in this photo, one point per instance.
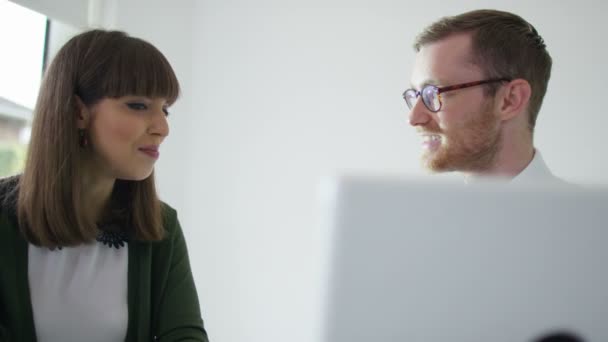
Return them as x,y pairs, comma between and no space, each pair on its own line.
289,91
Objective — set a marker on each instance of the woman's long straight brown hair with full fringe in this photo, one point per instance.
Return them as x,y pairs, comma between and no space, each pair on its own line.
91,66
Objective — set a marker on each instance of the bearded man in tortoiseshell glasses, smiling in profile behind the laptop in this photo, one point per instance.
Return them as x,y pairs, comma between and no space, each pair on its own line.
481,76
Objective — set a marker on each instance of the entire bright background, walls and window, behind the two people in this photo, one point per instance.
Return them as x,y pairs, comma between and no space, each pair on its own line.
277,95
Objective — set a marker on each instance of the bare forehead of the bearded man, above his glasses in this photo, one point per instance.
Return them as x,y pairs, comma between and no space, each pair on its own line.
444,62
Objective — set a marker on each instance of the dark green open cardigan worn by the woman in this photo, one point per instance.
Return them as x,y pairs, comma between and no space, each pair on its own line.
162,299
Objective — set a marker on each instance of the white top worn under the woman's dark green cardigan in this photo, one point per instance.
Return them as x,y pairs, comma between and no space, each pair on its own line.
79,293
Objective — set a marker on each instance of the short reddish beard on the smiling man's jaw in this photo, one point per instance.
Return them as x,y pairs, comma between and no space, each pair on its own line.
471,147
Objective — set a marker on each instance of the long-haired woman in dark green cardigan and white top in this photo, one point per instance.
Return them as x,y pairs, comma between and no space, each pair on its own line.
87,250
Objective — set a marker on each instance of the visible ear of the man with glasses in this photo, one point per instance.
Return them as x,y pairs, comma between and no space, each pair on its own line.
514,99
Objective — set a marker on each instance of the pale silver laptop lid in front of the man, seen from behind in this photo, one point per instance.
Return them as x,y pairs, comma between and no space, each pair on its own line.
418,261
